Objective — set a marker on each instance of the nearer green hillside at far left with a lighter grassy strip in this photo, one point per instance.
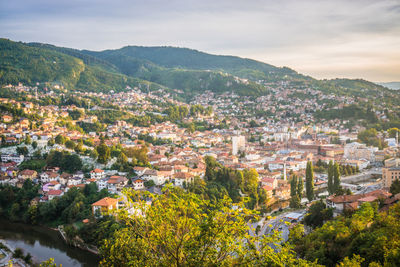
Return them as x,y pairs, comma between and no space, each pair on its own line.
30,64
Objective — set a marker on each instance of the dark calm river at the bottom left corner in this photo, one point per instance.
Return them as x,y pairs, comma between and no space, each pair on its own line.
43,243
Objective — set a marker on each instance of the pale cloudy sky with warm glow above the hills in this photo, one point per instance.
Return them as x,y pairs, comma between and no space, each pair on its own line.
320,38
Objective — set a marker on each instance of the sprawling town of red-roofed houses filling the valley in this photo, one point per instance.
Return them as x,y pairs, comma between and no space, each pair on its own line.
145,141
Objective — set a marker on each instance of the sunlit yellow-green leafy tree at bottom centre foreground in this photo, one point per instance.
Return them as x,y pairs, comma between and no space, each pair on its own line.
180,229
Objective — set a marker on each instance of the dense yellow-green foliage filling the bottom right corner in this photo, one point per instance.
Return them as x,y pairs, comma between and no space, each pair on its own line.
368,233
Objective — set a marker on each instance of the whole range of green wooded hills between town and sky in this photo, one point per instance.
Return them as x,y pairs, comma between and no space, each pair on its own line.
189,70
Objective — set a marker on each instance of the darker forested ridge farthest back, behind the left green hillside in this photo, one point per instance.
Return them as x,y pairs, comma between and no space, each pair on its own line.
184,58
